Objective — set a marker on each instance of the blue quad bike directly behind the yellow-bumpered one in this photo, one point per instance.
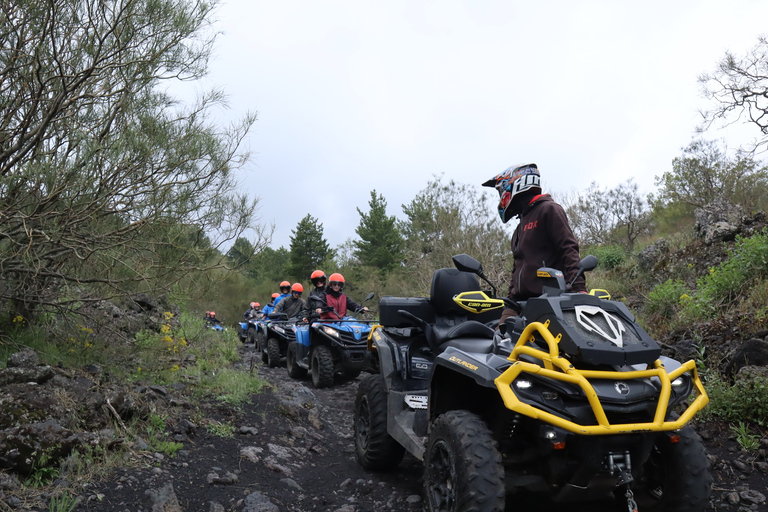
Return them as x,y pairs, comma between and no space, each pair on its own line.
328,348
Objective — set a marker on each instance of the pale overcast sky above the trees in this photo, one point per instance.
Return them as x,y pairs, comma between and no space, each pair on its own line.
361,95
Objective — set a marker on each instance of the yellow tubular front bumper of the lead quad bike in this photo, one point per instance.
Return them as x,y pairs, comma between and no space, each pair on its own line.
558,368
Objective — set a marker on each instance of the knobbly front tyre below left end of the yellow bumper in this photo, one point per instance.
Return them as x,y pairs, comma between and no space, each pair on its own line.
462,465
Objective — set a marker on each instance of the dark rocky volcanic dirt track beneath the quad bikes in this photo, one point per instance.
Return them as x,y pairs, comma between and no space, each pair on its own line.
292,450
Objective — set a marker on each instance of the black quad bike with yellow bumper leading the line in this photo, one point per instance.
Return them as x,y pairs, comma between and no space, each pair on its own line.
574,402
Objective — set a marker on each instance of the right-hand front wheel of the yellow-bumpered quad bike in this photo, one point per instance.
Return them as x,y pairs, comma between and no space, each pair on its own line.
676,476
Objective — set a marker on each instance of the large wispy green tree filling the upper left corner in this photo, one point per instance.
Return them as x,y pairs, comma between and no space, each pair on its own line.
102,172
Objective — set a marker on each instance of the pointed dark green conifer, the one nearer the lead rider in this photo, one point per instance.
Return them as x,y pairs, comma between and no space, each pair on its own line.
380,244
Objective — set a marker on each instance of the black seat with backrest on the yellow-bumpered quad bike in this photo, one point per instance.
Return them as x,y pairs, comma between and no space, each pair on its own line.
452,327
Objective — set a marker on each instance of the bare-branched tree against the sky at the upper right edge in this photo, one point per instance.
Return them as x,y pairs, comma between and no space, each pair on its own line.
739,88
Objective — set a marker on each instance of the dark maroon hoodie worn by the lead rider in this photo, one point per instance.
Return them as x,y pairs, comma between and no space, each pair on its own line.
543,239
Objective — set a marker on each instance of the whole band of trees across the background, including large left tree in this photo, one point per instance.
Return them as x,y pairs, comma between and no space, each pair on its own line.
110,186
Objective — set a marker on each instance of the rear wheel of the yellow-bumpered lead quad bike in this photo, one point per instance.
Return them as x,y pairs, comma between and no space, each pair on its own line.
374,447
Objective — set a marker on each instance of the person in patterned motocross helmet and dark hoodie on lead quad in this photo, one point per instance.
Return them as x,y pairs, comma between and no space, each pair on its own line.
543,238
